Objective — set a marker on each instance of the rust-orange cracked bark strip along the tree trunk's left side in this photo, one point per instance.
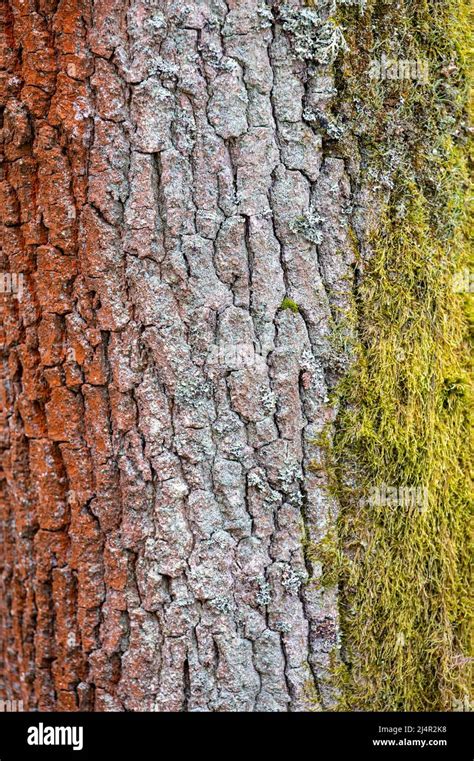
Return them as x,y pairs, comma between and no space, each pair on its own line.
46,137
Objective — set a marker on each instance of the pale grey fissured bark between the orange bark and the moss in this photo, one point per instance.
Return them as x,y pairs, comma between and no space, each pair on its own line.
223,183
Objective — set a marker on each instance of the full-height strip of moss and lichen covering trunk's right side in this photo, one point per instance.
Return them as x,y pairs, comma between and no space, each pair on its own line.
403,573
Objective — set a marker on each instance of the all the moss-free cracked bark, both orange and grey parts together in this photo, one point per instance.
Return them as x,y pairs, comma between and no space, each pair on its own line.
163,194
